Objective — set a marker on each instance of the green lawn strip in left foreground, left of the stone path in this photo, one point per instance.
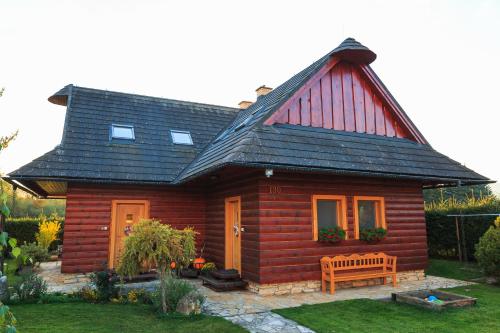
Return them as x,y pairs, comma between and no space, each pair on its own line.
108,318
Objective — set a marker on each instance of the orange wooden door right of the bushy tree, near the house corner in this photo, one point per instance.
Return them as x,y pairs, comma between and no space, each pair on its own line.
233,233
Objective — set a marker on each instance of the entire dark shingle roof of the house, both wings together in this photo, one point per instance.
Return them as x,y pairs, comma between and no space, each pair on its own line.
225,136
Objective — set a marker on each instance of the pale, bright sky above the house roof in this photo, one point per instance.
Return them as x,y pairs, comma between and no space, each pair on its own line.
438,58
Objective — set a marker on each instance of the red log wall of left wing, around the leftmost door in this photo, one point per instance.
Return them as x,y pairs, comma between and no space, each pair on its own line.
88,211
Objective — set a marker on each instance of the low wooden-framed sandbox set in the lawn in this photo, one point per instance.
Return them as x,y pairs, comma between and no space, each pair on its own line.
418,298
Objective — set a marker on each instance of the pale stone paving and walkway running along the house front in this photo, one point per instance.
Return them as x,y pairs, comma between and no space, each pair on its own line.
253,311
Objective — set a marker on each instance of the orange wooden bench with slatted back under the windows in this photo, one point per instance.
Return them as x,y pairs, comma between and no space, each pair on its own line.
357,267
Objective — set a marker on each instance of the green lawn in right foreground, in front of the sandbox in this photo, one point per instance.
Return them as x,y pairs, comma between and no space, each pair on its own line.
372,316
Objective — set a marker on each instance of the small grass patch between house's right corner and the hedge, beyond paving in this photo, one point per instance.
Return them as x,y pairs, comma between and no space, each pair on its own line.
454,269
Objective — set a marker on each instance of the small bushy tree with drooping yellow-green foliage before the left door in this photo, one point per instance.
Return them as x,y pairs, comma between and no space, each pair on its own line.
156,245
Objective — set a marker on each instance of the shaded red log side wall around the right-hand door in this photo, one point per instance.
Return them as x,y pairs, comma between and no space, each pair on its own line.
247,188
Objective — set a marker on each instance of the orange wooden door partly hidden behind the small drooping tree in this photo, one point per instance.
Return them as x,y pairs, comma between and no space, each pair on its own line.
125,213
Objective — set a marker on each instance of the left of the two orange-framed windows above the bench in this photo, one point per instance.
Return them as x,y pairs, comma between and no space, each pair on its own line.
328,211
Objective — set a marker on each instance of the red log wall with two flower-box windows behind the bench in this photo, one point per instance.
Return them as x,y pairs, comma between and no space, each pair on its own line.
286,249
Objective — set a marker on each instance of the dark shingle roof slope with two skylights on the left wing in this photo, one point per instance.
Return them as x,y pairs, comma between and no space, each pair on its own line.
87,152
